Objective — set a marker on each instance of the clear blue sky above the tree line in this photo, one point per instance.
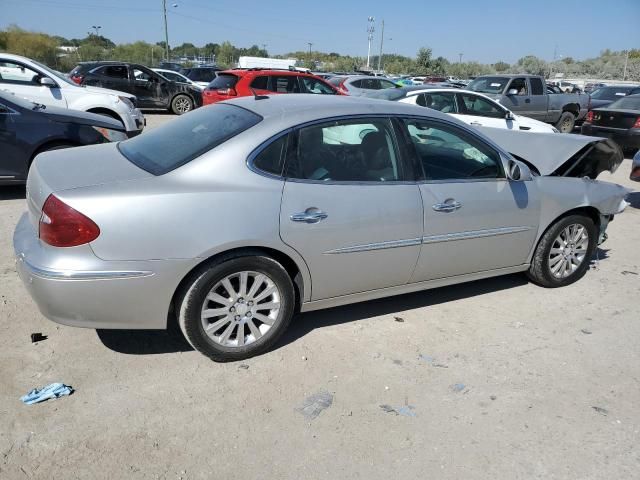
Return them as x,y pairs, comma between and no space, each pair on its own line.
483,30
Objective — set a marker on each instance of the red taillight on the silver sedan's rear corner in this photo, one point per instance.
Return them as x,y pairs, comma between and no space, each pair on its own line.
63,226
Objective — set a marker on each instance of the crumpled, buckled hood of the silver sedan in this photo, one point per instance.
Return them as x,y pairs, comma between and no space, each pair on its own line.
560,154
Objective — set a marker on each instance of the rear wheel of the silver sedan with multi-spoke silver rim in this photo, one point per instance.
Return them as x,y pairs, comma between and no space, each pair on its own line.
240,313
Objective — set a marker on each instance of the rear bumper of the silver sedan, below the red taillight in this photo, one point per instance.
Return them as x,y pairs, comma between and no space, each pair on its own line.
73,287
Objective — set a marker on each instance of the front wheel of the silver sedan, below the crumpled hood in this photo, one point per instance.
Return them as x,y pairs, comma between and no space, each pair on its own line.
545,262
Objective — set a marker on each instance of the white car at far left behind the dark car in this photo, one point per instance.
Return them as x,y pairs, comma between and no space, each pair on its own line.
38,83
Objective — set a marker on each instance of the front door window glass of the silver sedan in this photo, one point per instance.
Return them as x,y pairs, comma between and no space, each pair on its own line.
449,153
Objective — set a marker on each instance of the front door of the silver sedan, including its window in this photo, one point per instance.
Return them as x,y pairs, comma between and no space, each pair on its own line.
475,219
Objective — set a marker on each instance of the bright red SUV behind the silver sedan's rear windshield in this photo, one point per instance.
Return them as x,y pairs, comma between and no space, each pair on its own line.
241,83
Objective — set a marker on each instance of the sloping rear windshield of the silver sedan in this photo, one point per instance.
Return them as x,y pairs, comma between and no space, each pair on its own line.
187,137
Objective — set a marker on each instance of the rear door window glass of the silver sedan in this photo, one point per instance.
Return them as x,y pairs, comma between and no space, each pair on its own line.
346,151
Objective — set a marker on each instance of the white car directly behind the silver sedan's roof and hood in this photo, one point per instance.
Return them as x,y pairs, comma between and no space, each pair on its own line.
473,108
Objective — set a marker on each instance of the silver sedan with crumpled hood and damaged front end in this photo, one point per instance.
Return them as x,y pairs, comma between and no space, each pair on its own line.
232,218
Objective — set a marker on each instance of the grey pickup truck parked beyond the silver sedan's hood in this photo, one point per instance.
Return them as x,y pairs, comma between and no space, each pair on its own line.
527,95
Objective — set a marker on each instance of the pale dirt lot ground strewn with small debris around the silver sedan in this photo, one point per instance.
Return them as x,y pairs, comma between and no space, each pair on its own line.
495,379
